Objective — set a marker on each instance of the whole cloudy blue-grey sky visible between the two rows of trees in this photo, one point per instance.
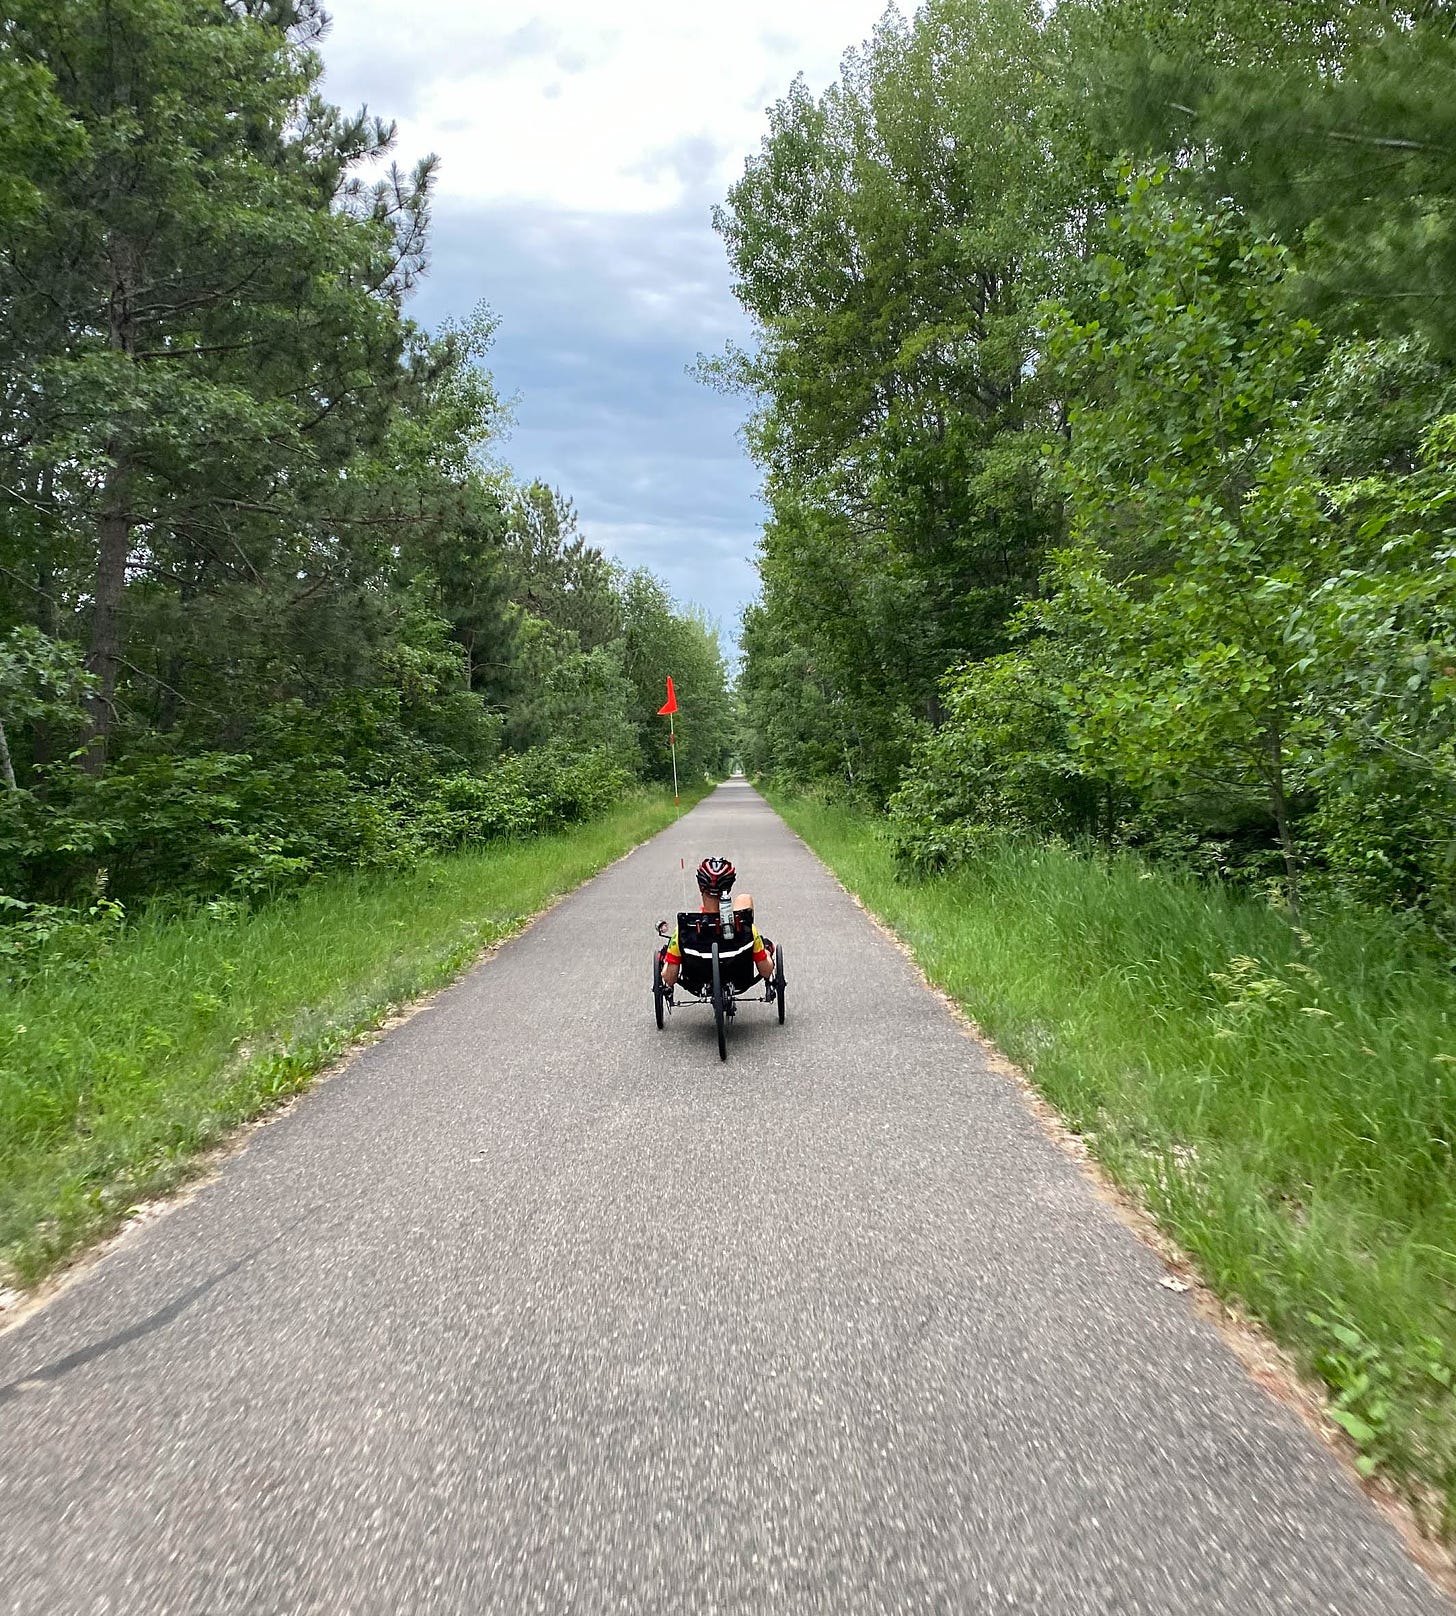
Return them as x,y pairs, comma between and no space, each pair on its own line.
583,148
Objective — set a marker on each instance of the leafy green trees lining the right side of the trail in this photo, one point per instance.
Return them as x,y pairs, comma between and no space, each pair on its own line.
1106,406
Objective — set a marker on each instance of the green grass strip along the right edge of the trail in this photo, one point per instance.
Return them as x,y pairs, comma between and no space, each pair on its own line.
1284,1105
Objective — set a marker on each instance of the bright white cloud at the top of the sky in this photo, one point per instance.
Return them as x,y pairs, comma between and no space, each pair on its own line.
574,104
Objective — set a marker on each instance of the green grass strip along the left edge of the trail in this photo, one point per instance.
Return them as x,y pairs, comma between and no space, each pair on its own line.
119,1072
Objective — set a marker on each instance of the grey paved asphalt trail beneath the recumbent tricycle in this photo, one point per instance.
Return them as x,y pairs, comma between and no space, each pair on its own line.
539,1310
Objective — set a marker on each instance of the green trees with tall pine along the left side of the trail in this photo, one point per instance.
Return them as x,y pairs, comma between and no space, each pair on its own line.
269,602
